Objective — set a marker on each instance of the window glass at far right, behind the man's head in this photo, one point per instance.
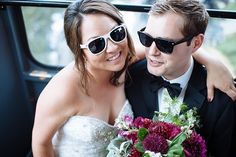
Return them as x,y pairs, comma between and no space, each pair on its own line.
220,41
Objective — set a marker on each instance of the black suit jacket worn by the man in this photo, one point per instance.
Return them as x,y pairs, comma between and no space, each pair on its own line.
218,118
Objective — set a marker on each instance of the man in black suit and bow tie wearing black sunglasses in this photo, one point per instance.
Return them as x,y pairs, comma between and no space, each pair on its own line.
175,29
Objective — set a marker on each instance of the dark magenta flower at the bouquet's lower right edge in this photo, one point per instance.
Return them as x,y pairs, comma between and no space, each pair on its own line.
194,146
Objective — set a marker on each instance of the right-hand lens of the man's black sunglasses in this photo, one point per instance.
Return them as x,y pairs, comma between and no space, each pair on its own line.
164,45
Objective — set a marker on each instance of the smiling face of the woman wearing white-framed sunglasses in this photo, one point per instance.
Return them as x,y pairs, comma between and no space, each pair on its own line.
112,55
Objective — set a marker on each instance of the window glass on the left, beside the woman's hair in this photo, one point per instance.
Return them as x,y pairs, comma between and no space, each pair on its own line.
44,27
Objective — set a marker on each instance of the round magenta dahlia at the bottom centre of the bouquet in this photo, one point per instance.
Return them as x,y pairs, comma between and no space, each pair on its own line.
155,143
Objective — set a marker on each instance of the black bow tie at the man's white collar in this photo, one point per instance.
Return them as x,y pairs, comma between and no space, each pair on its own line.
173,89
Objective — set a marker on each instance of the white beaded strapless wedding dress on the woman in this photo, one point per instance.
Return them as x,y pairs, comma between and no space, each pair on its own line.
83,136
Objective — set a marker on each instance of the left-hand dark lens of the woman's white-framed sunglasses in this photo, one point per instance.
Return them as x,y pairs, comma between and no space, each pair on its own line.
97,45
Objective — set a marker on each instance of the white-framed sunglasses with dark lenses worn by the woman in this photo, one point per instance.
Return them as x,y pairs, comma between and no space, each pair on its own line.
98,45
